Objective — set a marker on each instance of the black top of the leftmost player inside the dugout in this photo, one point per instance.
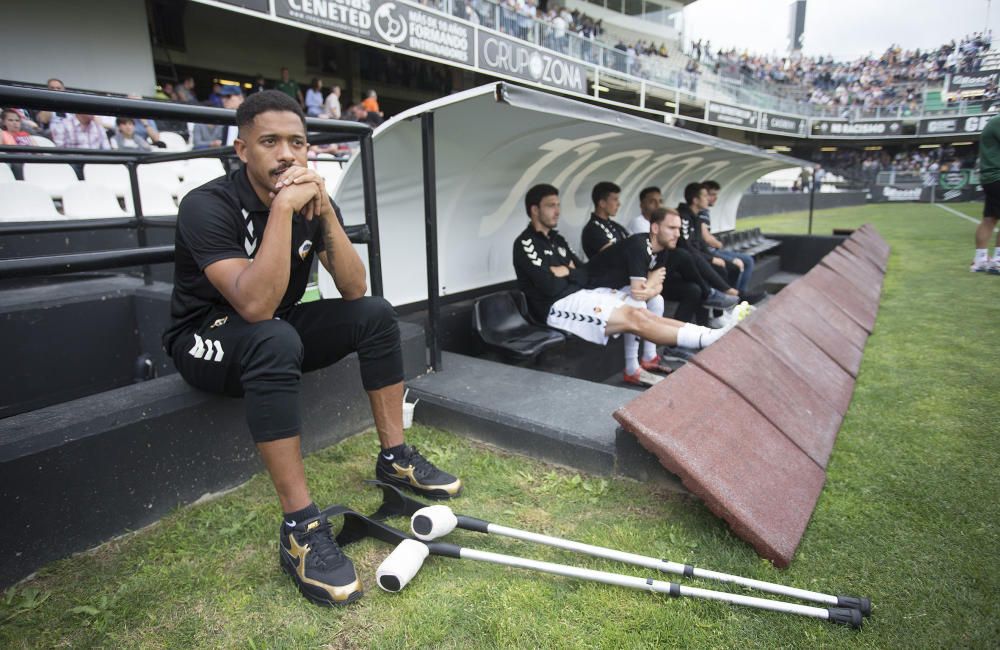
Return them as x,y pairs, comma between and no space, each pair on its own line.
534,254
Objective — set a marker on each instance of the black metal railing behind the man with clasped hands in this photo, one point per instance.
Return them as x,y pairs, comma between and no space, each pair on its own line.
328,131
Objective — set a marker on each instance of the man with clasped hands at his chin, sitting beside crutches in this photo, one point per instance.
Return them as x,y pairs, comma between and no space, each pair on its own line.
244,248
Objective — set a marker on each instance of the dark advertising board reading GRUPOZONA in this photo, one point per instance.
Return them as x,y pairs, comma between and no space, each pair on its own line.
525,61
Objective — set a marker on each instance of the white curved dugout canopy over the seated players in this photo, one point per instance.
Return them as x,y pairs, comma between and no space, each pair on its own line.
496,141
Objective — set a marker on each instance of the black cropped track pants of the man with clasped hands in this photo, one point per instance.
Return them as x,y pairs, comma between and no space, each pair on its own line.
264,361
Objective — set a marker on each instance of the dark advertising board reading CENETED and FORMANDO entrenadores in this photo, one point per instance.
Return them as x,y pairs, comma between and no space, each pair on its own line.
402,25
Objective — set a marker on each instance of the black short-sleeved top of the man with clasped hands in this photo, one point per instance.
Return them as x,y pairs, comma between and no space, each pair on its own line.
222,219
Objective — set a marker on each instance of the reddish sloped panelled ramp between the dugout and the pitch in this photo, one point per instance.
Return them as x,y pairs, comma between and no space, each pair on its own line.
749,424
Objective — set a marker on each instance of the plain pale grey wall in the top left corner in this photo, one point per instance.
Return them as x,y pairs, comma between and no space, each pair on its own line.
98,46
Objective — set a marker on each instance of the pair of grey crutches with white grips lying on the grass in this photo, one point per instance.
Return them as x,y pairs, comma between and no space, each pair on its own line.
429,523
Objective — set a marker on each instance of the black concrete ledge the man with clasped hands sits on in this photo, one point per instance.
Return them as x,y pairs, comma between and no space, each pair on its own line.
75,474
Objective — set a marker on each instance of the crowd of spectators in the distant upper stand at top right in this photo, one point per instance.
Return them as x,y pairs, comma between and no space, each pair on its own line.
893,80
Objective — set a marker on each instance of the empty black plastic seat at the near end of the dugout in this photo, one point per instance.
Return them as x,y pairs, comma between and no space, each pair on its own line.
501,321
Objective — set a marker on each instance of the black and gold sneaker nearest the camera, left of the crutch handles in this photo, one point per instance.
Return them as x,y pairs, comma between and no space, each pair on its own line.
312,557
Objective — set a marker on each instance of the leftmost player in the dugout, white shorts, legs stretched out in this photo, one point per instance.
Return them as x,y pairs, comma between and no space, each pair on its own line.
555,282
